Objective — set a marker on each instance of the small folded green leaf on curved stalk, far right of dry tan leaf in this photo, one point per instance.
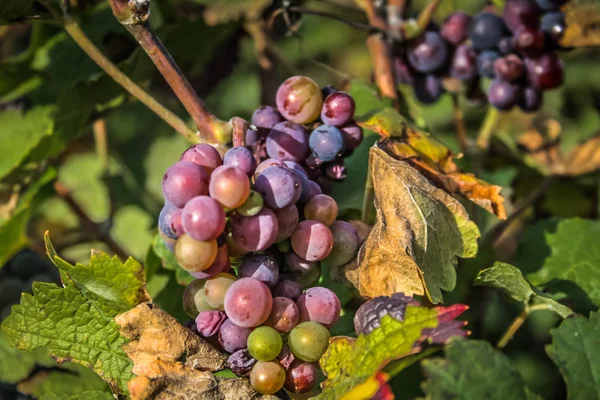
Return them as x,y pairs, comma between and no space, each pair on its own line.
509,279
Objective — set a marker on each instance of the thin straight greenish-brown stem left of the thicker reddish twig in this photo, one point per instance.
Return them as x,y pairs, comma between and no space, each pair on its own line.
75,32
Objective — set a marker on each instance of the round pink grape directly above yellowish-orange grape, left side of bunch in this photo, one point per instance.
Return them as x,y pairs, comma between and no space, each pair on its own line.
203,218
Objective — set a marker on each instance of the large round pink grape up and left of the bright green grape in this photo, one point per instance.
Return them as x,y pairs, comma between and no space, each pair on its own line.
248,302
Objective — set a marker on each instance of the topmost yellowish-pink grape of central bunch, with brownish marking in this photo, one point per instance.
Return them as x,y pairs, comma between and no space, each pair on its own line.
299,99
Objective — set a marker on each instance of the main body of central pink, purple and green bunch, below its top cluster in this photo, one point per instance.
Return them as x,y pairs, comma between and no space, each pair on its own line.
257,239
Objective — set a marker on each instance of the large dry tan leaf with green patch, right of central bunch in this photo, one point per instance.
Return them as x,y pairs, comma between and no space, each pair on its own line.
420,232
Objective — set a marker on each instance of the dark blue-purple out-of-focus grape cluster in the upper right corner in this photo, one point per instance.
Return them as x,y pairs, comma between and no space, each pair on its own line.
516,51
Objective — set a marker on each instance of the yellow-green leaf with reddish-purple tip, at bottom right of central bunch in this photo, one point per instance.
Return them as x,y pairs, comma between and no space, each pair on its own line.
350,362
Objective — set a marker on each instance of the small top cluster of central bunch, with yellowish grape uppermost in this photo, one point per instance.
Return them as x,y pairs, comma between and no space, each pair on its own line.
310,126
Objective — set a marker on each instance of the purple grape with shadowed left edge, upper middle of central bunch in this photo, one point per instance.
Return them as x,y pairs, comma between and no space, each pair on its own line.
279,186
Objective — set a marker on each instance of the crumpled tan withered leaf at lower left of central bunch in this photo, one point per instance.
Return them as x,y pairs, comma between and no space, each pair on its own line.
155,335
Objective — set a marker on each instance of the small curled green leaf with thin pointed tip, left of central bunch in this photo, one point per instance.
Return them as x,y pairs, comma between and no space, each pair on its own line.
106,279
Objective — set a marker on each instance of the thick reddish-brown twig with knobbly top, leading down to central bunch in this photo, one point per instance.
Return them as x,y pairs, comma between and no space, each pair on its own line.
133,15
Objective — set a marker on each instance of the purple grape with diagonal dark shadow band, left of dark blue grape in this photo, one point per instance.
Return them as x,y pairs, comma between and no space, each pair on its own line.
287,141
